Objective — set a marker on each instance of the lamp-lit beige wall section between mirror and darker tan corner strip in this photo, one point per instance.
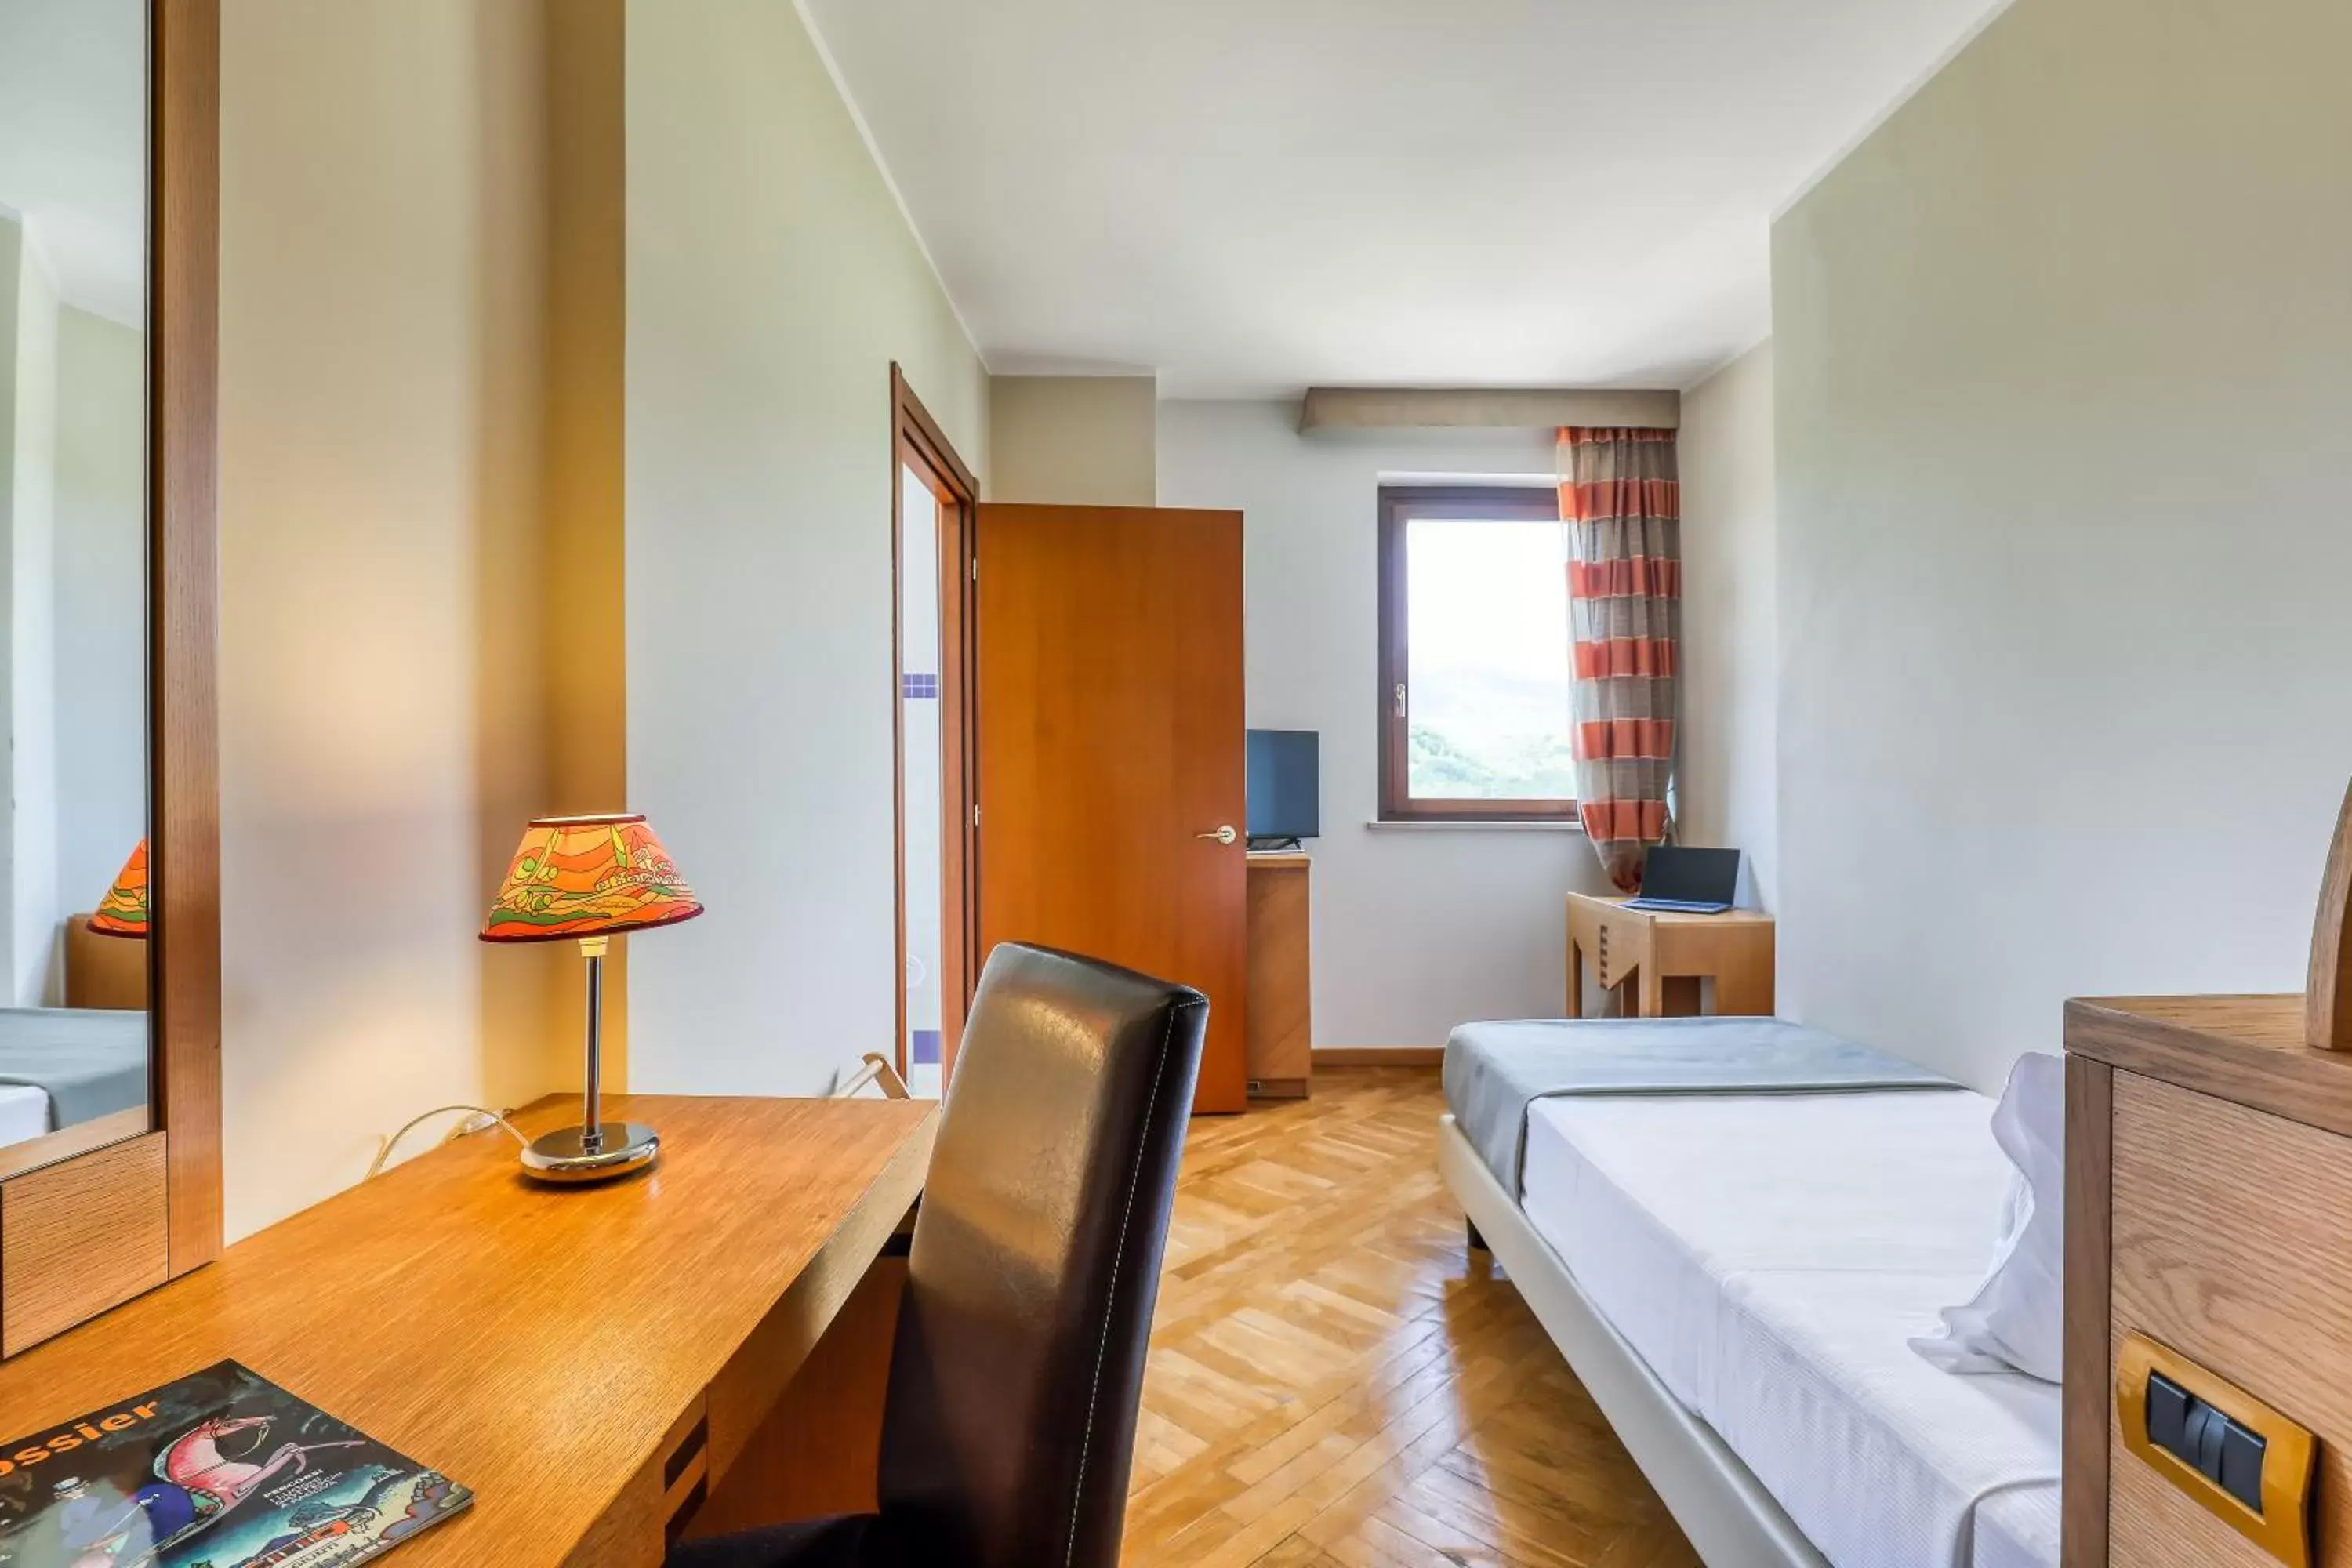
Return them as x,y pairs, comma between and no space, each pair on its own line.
385,532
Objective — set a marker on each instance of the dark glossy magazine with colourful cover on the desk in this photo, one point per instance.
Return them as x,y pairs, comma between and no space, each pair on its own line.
220,1470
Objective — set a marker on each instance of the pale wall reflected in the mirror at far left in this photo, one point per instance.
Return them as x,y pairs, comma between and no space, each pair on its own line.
100,603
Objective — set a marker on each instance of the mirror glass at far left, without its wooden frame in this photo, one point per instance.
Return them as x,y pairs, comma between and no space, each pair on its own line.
76,1054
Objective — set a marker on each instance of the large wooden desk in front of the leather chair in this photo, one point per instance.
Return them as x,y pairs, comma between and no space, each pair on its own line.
592,1362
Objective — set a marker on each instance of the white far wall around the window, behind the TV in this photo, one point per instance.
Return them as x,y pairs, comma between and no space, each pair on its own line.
1415,930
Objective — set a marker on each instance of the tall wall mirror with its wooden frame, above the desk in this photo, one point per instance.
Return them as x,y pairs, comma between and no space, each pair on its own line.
109,805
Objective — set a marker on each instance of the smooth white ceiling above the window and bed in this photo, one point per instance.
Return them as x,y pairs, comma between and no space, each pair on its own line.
1255,196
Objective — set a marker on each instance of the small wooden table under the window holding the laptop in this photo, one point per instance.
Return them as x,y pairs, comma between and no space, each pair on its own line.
1669,956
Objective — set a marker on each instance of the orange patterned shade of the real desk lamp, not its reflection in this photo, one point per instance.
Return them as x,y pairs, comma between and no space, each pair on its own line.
587,876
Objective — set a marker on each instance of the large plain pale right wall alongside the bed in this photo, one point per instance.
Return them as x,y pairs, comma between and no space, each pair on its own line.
2066,525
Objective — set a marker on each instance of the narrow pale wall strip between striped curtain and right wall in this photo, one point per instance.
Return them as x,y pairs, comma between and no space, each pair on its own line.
1728,765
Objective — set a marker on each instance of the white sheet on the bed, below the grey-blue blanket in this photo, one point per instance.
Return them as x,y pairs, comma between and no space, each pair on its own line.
1770,1259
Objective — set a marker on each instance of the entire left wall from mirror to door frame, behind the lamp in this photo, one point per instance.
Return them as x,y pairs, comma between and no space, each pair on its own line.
427,587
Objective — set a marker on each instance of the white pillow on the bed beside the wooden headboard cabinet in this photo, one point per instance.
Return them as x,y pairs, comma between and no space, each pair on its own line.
2014,1320
